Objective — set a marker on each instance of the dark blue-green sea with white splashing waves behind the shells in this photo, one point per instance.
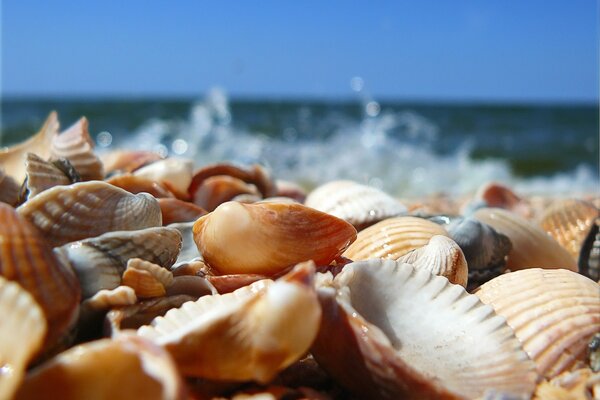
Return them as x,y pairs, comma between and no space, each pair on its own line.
406,149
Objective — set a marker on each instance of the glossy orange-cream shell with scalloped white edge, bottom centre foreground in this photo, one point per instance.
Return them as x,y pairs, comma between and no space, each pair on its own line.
251,333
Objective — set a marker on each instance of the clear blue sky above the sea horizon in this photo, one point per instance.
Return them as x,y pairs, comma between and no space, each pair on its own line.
490,50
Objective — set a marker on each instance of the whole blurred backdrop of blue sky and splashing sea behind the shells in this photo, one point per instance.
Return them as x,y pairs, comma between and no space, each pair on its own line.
412,97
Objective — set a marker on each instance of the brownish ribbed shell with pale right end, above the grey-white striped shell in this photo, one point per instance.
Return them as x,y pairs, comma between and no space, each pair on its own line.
68,213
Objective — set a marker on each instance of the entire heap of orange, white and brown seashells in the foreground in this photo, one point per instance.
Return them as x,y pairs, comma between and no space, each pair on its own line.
136,276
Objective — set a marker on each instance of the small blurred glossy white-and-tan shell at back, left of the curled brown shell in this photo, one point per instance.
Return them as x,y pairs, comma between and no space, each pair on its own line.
176,172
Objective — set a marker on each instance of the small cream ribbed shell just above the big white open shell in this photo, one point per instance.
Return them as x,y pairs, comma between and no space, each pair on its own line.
441,256
